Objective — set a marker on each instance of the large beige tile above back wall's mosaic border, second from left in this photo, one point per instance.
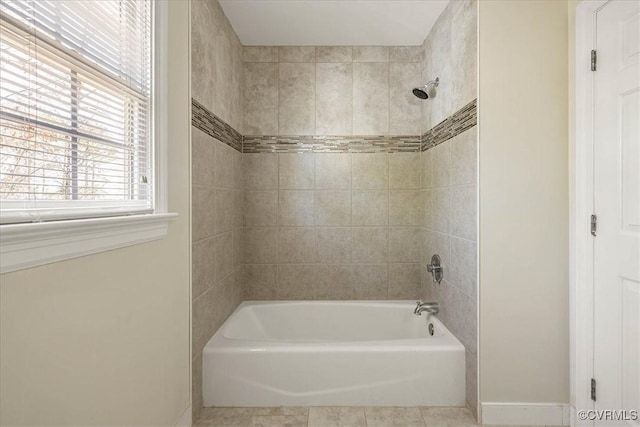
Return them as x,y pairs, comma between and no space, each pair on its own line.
297,99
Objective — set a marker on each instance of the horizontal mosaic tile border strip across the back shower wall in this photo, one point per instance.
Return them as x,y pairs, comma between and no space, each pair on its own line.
331,144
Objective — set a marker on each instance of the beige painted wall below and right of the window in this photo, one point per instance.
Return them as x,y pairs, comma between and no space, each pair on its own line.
104,339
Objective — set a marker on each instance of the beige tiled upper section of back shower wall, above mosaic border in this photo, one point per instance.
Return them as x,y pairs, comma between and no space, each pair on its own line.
331,90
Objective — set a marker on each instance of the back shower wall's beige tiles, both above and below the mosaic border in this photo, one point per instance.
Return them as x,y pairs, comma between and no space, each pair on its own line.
331,225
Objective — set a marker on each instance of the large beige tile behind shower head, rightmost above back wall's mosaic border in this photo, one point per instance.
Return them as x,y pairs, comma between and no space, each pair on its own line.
405,110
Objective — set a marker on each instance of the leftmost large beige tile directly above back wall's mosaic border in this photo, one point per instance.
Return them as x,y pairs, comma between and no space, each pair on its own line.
260,96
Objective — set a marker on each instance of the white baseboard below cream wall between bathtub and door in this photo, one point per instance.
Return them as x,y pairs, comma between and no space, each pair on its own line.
531,414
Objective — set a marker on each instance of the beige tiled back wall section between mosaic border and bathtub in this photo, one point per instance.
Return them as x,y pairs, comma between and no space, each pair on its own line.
332,226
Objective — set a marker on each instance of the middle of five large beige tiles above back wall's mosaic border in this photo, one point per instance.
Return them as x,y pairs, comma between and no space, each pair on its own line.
334,99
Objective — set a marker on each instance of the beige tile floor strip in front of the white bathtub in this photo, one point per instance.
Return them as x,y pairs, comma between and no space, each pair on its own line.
336,417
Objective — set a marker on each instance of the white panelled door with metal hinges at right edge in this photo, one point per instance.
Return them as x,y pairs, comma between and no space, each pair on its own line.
617,205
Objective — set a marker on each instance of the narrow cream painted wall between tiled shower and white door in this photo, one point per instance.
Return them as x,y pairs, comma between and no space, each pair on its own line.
524,208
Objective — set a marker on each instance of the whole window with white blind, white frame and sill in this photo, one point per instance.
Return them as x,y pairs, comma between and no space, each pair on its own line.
81,85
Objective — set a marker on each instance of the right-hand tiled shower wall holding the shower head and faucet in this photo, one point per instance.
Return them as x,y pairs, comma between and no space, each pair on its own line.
449,183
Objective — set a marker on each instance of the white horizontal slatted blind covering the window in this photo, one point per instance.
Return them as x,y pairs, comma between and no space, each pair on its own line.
75,109
